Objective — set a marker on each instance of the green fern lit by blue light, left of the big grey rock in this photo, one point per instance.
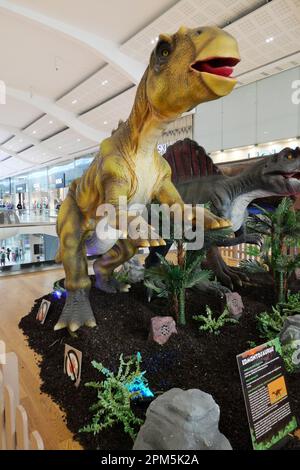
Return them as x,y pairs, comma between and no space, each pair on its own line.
114,397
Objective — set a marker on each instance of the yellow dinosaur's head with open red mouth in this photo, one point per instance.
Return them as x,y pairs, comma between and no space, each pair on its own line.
190,67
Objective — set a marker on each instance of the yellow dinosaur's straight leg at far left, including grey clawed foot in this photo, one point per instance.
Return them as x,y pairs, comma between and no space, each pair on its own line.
77,310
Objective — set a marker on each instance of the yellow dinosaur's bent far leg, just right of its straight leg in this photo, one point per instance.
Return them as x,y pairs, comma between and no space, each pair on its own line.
104,267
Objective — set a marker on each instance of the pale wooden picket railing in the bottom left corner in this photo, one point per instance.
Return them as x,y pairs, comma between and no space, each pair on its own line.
14,427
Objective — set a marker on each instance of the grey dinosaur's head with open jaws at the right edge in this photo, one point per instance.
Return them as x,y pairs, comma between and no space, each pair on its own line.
280,173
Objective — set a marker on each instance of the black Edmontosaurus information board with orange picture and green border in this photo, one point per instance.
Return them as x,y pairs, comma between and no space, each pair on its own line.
266,397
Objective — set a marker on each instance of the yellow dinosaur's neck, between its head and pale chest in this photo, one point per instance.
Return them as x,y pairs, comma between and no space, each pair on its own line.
144,126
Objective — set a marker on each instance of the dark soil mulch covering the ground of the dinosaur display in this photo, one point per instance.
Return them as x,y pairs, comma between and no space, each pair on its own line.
191,359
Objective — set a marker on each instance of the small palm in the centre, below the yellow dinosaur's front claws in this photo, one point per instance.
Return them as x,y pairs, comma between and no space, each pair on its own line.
171,280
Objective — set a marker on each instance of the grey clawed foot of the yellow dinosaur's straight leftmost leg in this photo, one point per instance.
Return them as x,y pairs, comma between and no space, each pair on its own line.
77,311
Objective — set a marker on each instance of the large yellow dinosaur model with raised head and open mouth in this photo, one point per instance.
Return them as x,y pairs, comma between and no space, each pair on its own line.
187,68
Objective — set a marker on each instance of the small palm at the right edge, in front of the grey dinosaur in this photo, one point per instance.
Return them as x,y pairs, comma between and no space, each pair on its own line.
281,231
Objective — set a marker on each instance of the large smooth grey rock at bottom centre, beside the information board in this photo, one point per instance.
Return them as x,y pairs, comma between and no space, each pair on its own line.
182,420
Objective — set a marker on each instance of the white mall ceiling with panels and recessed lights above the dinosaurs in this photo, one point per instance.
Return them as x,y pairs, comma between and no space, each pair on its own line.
70,67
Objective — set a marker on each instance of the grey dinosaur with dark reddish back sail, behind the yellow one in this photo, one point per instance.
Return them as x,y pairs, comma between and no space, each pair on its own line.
229,197
